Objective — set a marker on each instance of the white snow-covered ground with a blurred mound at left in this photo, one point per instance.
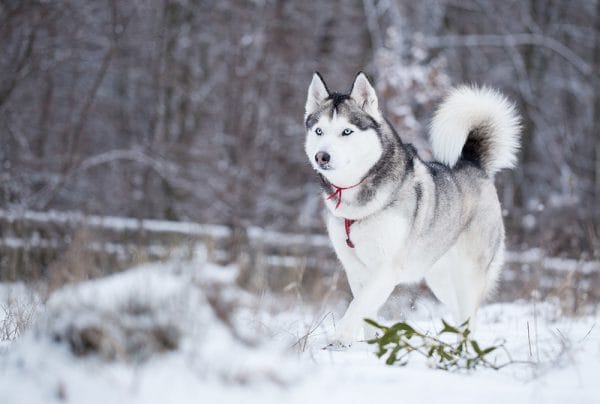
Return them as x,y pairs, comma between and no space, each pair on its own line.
183,332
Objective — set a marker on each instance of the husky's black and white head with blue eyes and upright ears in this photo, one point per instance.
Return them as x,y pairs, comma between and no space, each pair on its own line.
342,142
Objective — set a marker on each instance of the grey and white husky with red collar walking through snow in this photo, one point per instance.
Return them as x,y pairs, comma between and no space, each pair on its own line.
394,218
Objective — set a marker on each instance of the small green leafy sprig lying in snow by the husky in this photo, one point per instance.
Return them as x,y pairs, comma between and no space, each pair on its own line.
401,340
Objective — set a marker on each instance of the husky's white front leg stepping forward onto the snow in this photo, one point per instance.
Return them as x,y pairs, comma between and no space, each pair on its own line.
365,304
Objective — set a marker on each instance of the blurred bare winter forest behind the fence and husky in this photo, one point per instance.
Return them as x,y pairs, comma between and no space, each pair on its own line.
192,110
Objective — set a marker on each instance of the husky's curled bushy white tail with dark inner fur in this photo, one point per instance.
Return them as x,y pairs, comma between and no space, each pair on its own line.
477,124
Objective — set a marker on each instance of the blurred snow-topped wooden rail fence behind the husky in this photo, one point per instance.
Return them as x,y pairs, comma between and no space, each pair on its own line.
33,243
